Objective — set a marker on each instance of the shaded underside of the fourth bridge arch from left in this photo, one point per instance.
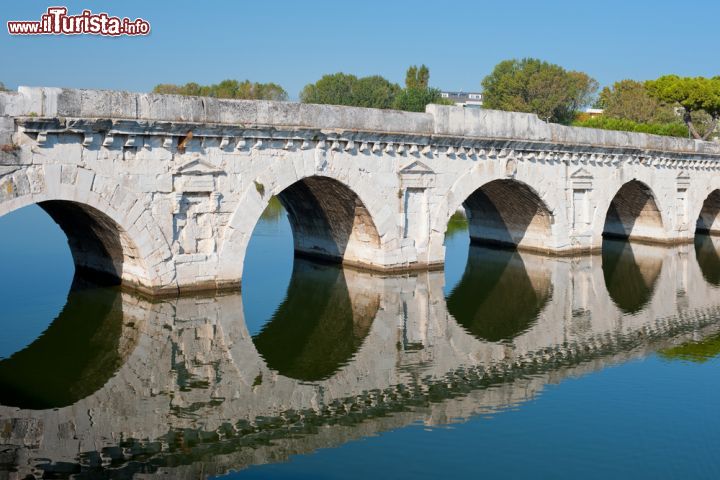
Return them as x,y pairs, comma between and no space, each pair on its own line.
633,214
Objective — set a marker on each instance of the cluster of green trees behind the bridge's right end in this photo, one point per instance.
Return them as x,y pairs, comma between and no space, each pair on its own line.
670,105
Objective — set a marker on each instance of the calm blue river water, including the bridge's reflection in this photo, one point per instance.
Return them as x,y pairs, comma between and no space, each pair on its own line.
505,365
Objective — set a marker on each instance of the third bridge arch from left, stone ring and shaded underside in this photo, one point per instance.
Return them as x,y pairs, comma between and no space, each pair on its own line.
501,210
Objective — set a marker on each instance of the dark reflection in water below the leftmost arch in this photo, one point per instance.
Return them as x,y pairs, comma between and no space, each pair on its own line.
75,357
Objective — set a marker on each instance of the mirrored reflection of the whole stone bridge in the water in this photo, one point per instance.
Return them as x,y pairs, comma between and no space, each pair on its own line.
191,392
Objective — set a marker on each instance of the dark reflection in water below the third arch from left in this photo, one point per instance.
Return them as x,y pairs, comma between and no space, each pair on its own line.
497,299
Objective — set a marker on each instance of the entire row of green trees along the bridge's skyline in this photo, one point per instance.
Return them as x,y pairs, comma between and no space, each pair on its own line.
669,105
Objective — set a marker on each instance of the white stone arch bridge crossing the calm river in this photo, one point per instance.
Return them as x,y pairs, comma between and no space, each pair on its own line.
163,192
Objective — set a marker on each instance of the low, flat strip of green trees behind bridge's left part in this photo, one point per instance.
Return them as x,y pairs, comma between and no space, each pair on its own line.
227,89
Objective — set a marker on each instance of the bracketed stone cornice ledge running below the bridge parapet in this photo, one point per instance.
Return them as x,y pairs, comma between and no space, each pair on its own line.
302,138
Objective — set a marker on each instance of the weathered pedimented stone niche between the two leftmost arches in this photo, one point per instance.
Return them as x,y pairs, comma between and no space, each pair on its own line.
194,211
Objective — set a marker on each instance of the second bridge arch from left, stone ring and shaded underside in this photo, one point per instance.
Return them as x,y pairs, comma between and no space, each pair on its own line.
331,217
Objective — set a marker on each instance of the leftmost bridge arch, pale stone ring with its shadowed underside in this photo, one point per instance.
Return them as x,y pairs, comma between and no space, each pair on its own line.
107,238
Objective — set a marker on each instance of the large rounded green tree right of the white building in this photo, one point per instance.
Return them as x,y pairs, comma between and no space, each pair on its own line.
535,86
